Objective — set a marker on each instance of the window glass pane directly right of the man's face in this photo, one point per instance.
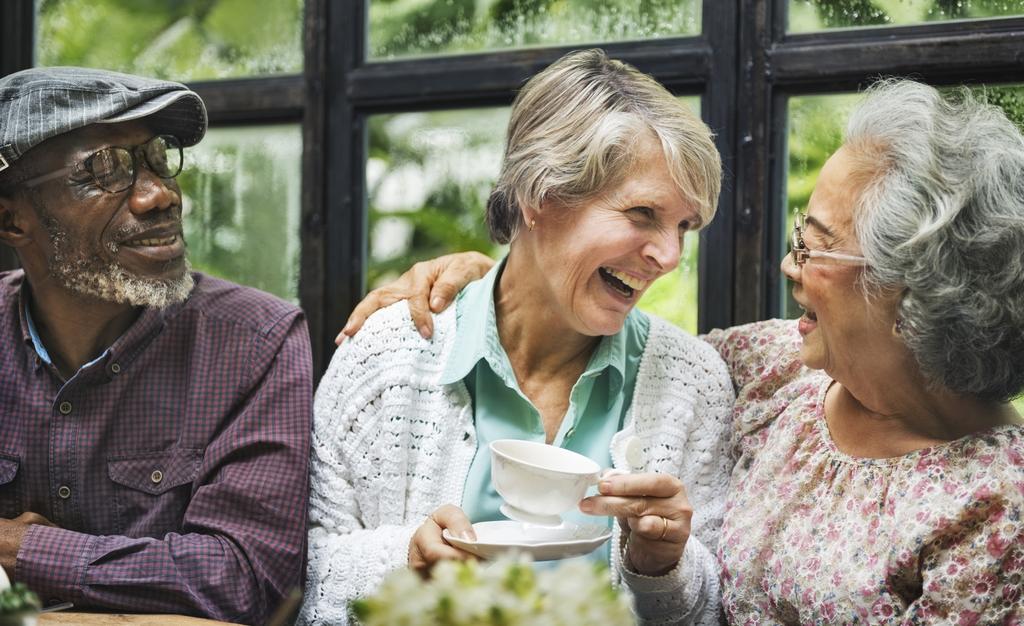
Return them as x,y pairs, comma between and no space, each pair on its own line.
243,205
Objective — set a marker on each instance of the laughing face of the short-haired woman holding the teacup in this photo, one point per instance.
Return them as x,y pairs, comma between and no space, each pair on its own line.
598,261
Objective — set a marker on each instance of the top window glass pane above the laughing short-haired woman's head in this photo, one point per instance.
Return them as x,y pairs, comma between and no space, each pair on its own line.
403,28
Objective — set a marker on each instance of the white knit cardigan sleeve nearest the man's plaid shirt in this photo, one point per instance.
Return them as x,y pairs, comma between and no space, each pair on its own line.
376,471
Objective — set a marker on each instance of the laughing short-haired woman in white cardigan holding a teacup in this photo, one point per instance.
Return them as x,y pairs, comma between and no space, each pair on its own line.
605,173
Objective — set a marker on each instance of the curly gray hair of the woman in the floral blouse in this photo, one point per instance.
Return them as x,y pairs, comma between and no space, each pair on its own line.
942,218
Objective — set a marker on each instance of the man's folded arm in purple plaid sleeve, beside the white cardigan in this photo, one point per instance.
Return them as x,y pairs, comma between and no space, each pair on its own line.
242,546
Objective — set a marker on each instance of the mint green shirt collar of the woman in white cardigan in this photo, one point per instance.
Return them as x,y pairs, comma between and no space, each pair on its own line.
477,339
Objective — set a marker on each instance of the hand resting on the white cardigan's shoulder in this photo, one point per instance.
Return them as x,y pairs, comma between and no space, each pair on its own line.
430,287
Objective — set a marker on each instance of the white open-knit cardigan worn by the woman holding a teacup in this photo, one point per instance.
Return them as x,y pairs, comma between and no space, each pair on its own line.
391,445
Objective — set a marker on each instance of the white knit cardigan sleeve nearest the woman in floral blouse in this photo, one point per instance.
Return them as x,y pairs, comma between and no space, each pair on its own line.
689,388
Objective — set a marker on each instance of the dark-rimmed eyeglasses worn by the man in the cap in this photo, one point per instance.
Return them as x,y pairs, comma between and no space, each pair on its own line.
115,170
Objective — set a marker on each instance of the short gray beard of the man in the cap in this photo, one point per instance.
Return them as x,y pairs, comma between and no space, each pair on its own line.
92,277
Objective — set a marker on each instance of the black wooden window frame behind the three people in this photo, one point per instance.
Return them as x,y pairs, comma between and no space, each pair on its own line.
744,65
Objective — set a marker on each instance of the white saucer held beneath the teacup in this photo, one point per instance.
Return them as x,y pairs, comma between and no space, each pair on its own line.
543,544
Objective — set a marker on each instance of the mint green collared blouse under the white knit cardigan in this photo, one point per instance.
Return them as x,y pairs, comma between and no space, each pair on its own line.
599,401
